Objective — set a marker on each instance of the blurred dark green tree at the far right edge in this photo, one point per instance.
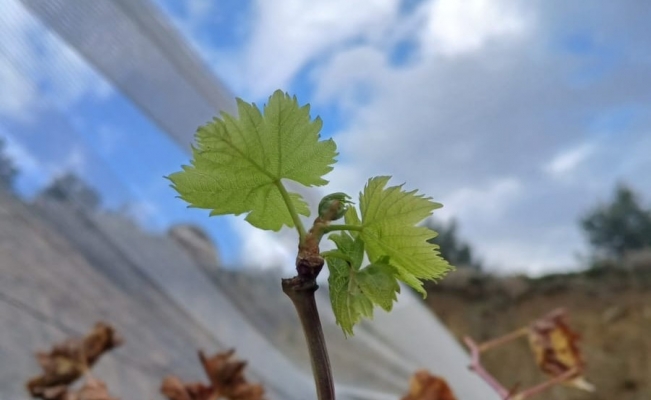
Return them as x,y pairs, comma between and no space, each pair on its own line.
620,226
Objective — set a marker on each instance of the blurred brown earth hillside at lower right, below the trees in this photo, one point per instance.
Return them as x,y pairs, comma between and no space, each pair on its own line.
610,308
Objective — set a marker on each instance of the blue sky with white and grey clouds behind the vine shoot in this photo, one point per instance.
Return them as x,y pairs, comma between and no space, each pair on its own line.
517,115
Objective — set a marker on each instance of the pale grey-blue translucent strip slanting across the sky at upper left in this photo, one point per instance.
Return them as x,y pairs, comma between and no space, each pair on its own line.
132,44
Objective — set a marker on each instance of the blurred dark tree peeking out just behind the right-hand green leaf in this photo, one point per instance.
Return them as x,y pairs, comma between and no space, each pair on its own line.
458,252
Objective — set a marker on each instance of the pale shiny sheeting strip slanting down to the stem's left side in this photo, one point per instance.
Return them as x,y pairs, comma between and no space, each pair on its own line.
121,252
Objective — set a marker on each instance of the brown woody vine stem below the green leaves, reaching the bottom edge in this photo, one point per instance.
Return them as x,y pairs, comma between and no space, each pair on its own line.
301,292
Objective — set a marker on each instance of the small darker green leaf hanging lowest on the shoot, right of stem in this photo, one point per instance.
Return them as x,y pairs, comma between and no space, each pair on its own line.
355,290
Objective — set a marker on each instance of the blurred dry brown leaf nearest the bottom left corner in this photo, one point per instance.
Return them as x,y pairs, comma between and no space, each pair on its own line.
67,361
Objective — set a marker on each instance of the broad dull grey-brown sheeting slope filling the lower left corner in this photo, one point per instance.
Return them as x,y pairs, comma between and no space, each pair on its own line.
49,291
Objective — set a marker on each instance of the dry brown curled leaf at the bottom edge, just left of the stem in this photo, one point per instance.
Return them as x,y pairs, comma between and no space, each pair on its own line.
226,381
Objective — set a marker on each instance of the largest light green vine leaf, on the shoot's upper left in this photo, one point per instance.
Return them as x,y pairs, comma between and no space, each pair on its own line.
239,163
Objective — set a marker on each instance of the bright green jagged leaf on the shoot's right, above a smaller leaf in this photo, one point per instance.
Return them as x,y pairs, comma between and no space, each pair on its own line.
388,218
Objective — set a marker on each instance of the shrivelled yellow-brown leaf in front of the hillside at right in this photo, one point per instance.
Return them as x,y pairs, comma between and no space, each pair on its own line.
555,347
